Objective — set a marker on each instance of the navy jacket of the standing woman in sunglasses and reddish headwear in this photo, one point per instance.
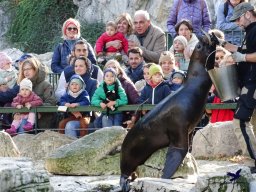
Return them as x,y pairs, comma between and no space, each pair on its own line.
61,53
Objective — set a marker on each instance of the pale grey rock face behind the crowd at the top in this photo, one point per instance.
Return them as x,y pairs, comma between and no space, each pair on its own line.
109,10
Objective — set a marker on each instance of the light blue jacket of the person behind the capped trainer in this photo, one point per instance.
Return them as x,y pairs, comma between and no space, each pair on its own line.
233,33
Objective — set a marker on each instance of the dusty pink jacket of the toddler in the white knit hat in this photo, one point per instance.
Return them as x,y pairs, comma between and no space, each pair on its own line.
33,99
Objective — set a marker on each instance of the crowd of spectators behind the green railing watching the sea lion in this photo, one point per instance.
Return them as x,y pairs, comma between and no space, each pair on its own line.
147,72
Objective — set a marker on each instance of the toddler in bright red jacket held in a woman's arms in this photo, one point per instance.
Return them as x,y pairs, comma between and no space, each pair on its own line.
111,34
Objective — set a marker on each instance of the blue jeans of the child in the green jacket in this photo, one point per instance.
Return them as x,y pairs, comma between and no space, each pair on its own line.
112,120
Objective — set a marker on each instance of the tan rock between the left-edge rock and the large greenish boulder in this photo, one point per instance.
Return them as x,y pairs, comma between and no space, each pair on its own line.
41,145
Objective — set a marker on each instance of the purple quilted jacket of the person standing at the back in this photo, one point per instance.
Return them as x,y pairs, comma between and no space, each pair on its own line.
194,10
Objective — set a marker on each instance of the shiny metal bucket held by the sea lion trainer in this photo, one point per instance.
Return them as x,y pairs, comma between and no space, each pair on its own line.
225,81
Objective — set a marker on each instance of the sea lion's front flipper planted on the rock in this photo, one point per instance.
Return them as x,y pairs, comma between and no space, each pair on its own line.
174,158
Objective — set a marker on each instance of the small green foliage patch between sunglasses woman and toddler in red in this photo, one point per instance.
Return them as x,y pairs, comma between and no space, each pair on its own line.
92,31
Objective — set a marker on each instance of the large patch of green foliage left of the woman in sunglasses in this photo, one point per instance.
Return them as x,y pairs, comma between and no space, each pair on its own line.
37,24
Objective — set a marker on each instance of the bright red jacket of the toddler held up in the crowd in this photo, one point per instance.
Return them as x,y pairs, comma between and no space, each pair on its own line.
104,38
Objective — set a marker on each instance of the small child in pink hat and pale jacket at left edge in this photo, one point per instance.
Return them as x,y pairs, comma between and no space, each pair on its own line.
8,73
